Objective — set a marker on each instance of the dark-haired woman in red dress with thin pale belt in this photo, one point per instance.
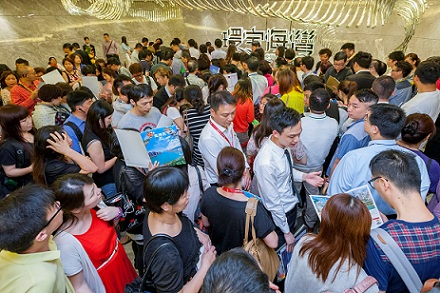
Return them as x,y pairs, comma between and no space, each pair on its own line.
78,196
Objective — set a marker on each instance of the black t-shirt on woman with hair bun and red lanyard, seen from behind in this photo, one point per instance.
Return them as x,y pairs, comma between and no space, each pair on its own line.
227,219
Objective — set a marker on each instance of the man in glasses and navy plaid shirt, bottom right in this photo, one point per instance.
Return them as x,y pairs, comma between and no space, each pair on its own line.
396,177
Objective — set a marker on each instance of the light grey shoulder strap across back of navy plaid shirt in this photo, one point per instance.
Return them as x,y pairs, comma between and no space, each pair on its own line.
398,259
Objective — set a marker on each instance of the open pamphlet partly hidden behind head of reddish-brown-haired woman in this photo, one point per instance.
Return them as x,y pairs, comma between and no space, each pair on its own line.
363,193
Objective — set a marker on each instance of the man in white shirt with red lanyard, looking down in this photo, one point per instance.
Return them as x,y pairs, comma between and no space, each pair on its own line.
219,133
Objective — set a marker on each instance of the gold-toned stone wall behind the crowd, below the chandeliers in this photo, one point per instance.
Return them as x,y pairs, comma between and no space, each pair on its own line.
35,30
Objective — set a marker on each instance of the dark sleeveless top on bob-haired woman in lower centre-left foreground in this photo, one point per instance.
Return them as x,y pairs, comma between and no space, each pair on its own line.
172,268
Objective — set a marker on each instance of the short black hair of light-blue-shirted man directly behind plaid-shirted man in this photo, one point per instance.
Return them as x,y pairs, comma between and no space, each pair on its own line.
389,119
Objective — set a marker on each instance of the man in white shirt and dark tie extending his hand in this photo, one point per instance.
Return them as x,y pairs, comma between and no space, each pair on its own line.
274,173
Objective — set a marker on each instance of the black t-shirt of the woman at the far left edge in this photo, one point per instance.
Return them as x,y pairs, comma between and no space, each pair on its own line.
13,152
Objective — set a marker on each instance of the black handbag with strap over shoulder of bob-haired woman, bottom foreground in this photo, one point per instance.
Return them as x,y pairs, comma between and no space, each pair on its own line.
145,284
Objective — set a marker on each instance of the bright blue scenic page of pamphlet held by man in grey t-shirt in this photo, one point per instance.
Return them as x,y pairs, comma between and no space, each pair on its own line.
163,145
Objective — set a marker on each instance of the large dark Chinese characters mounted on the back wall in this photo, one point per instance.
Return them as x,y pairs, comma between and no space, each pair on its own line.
301,40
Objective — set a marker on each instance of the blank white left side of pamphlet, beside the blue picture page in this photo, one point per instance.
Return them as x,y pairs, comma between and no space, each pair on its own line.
133,148
